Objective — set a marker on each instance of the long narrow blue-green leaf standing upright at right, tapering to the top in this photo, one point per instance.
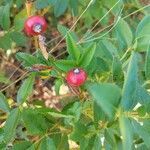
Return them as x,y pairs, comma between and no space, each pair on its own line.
131,84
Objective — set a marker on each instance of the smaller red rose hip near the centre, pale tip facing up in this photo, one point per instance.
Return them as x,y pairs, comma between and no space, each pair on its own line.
76,77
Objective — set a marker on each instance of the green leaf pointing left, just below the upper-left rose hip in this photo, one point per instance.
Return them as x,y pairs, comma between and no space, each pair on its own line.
27,59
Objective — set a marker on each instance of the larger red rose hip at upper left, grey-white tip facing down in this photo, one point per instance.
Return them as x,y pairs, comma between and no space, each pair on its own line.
35,25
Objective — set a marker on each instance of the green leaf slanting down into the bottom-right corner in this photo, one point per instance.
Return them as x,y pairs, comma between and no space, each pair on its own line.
142,133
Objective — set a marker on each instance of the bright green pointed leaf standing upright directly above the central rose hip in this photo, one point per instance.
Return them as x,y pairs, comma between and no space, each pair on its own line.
72,48
